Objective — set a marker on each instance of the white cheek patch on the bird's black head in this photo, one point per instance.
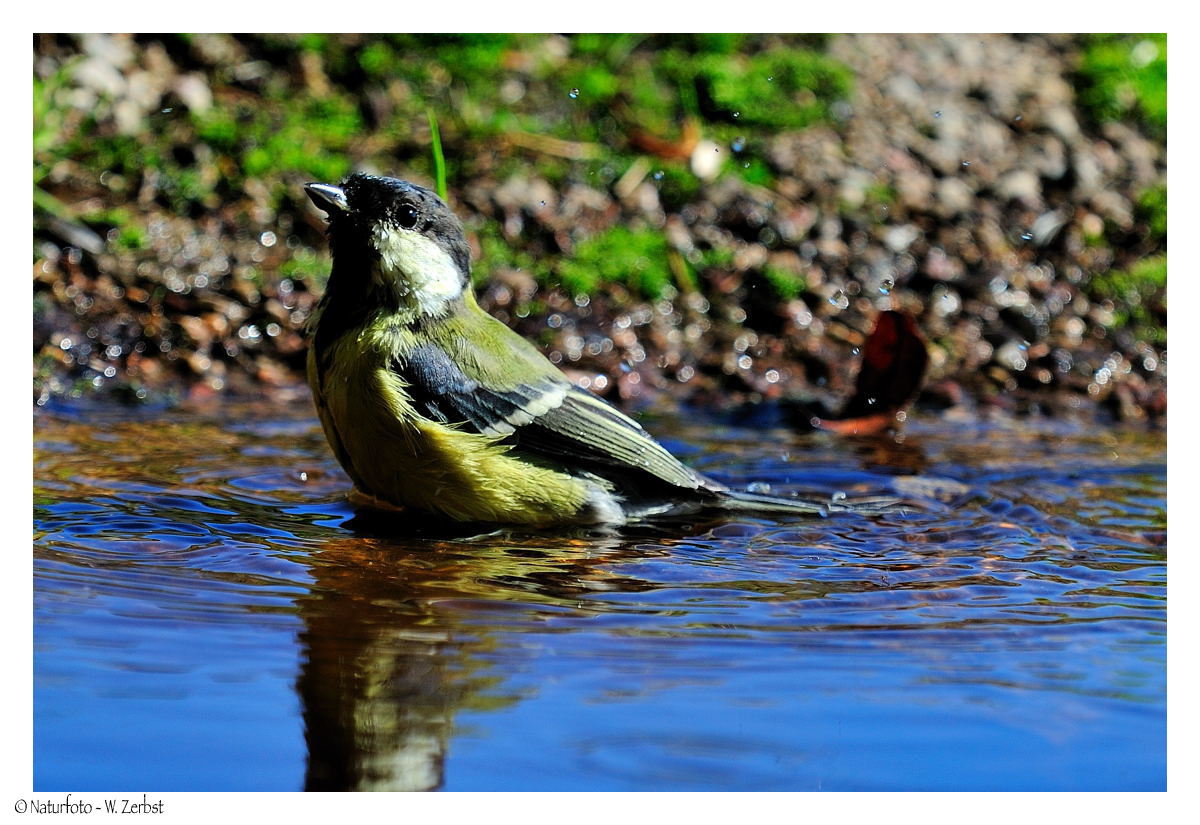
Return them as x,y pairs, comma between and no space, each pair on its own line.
419,272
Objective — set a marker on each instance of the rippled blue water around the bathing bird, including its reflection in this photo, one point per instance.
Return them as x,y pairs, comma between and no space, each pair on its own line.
211,616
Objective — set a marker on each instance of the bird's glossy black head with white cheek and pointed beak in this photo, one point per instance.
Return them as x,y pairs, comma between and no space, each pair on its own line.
399,236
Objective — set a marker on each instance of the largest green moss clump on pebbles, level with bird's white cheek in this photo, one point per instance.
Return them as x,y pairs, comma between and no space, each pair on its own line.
638,260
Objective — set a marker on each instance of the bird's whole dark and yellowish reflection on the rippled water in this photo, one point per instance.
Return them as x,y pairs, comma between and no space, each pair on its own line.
391,652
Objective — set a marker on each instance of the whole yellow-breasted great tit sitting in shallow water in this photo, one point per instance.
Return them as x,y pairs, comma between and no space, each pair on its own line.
434,406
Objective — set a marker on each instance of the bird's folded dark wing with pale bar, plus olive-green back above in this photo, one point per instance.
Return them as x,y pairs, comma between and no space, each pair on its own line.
527,401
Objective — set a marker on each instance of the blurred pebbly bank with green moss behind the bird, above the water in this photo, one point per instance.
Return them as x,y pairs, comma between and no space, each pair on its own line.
673,219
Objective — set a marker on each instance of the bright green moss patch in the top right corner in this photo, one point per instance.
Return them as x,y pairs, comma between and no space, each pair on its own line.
1124,77
